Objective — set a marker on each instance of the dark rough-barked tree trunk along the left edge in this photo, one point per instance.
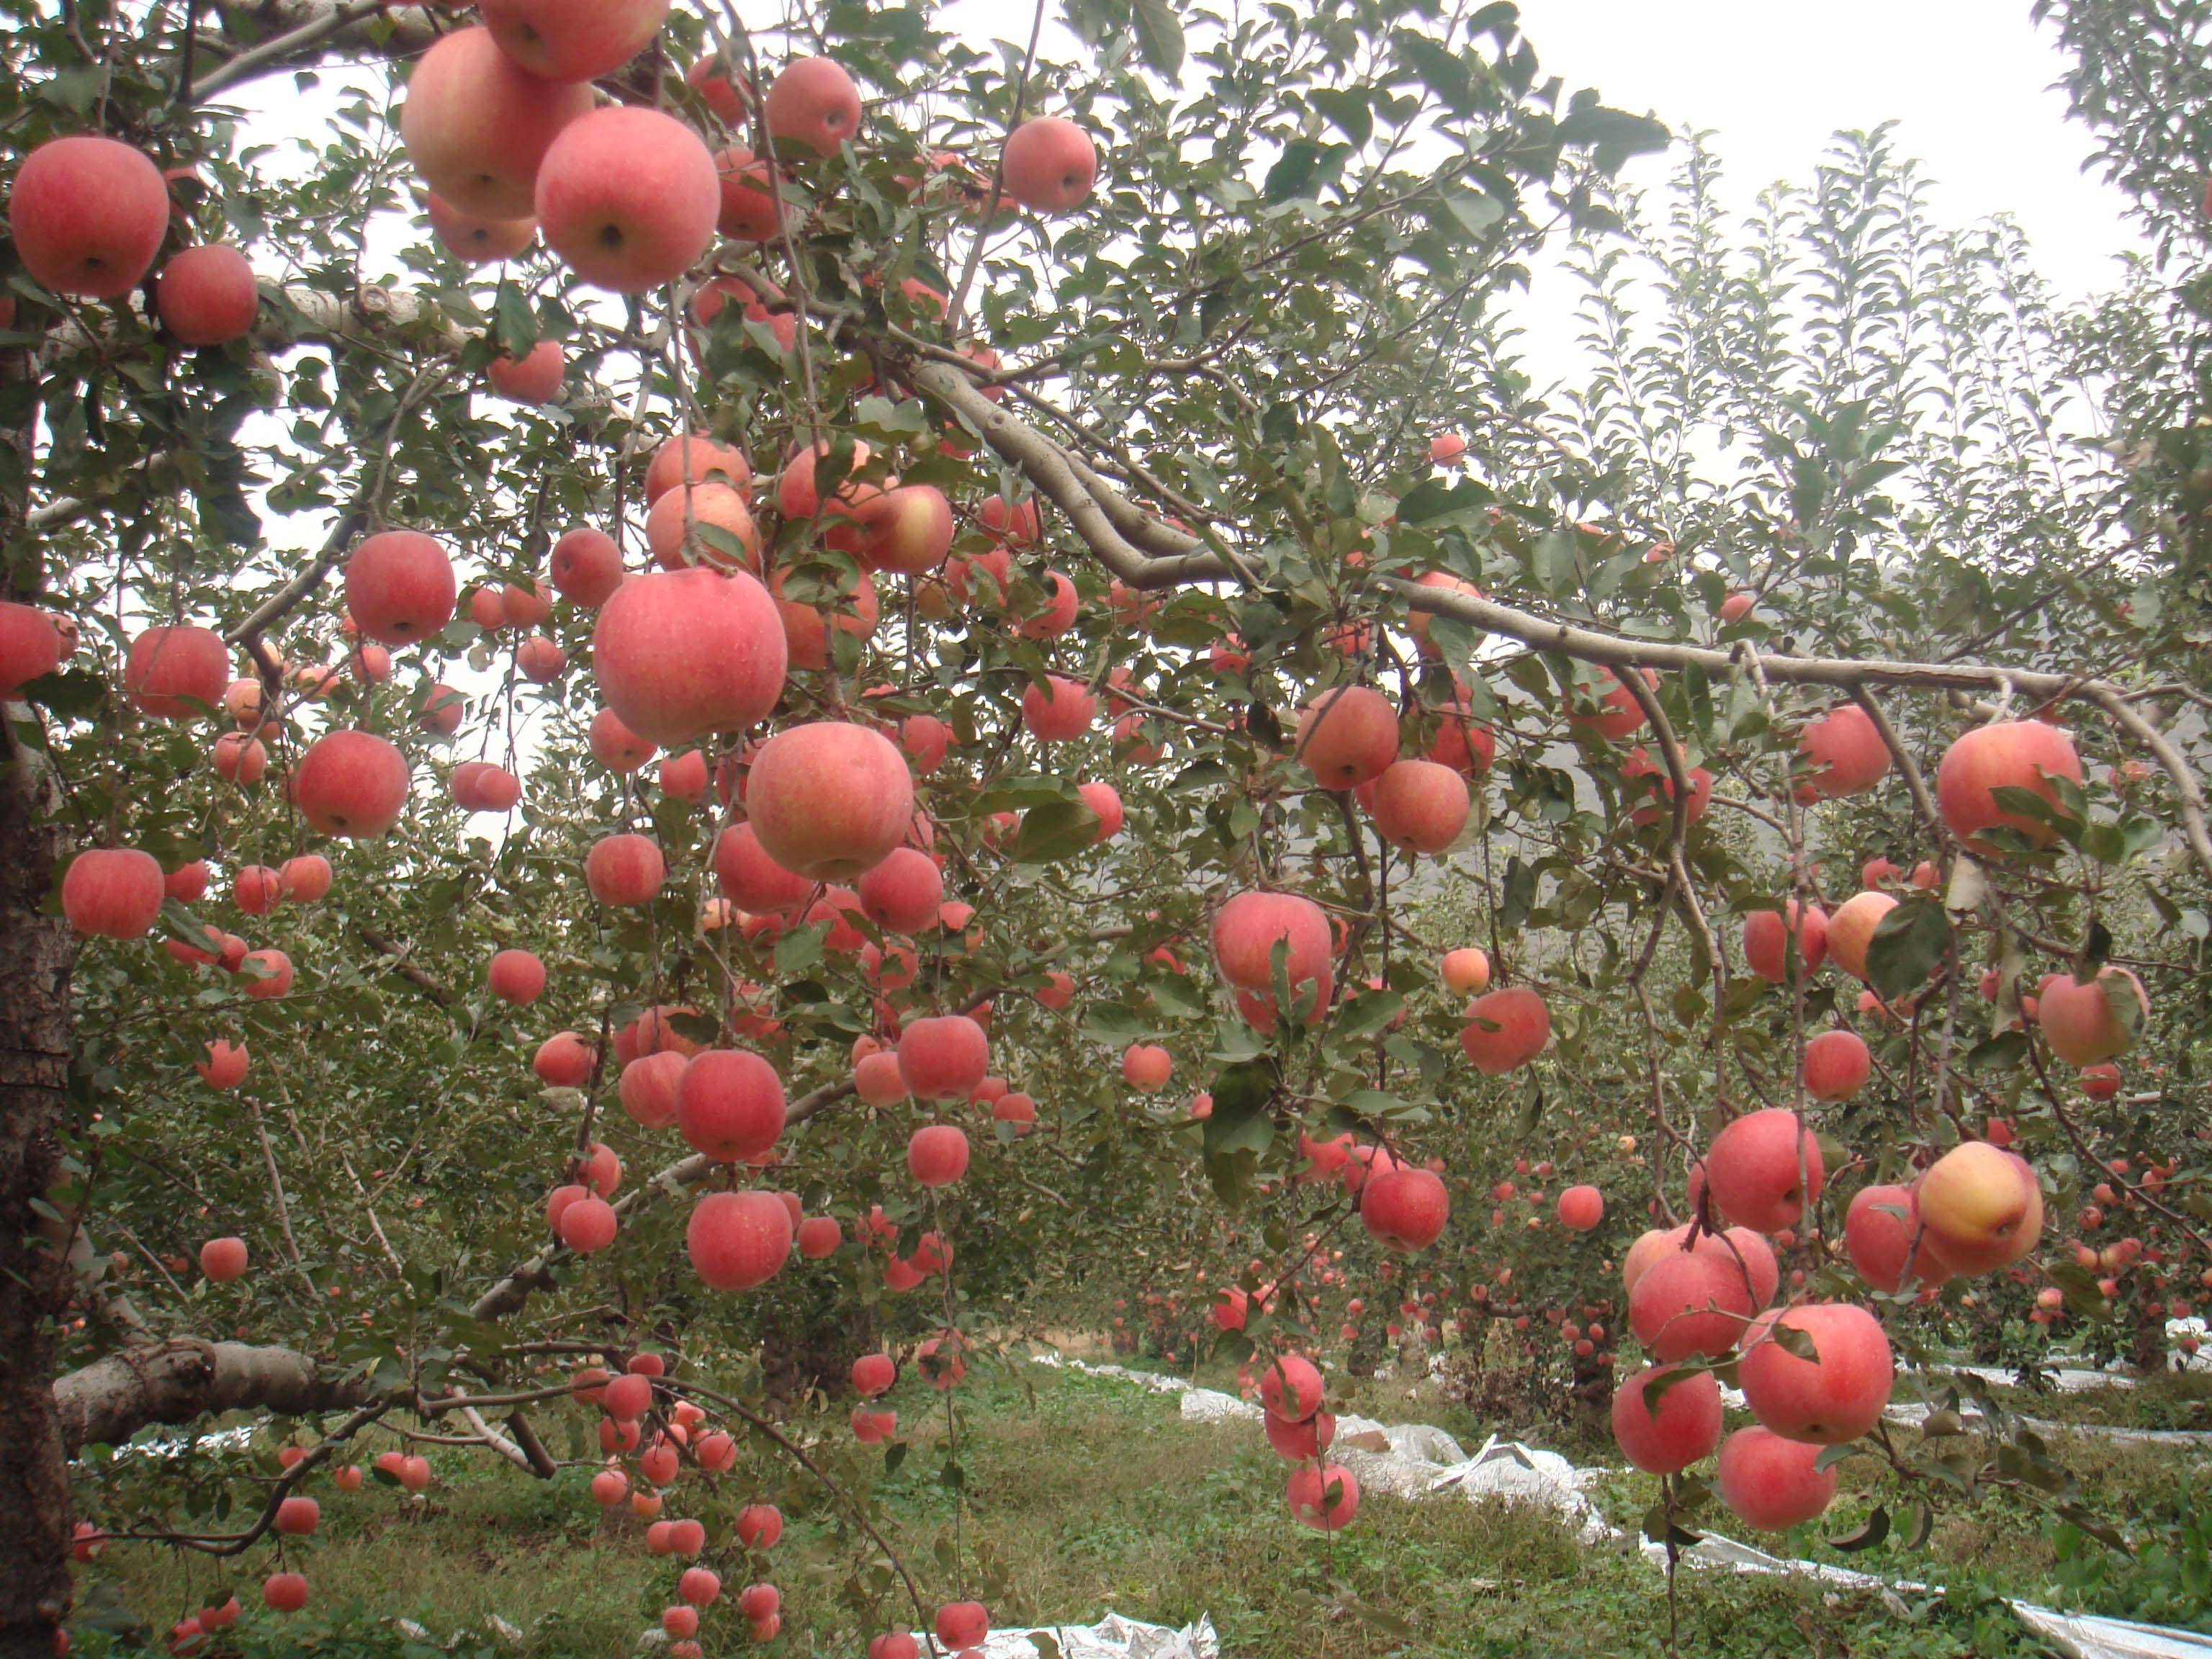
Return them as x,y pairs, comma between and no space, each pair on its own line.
36,954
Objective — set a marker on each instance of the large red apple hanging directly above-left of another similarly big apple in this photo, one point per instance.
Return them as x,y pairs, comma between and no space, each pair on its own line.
682,654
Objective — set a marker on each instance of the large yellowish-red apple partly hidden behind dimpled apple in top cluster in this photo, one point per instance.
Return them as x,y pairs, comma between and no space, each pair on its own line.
479,127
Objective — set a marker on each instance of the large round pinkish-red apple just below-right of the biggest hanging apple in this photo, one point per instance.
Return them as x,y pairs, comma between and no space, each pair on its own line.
831,800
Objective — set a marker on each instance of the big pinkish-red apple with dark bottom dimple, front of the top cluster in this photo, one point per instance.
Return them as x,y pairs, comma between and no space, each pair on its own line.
627,198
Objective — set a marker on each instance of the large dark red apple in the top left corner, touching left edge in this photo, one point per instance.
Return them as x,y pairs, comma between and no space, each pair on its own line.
87,216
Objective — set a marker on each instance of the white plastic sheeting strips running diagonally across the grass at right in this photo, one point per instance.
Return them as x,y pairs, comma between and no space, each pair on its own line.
1419,1461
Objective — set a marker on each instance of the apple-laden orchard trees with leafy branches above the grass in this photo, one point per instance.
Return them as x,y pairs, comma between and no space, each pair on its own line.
698,707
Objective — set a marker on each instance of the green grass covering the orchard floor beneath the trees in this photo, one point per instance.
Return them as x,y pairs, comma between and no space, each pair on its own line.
1087,1496
